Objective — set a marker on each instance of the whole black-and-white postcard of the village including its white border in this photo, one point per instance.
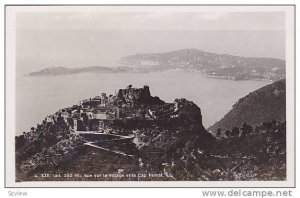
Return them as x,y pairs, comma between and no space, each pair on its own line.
150,95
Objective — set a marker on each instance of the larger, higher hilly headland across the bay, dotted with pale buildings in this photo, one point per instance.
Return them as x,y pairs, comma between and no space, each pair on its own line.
210,64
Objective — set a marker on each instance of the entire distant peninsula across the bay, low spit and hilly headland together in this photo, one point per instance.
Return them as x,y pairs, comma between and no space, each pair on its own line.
208,64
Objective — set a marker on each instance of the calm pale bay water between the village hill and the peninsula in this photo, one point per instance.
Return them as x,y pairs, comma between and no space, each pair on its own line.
37,97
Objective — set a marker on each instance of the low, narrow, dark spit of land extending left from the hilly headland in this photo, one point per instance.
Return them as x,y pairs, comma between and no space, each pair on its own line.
52,71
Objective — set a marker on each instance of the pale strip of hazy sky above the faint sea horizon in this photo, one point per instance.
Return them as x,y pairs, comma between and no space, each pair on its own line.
152,21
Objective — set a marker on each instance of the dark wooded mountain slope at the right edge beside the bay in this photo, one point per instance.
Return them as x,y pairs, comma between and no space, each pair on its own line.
263,105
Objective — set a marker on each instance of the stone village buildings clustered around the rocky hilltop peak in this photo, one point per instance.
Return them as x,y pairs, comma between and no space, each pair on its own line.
95,114
